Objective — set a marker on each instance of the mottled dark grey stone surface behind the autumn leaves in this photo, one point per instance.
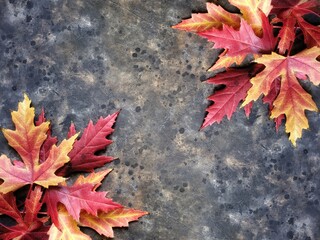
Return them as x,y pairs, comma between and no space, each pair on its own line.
84,59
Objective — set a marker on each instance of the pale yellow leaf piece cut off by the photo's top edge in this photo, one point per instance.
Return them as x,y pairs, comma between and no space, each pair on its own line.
250,10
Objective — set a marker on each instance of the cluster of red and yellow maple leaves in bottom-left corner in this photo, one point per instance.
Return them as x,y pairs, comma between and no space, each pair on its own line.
34,191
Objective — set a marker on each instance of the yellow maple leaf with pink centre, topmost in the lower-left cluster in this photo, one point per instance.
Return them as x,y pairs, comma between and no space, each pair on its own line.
27,140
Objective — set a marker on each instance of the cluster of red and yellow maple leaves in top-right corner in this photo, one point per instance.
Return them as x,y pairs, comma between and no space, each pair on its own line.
271,33
